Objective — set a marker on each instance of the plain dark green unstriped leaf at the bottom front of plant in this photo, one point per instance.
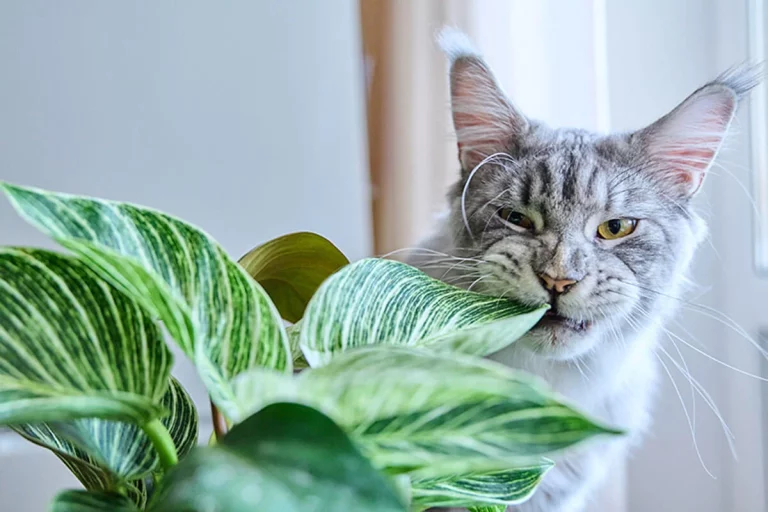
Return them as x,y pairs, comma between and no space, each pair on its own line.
286,458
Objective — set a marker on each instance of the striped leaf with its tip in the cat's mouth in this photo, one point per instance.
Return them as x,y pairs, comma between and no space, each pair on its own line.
376,301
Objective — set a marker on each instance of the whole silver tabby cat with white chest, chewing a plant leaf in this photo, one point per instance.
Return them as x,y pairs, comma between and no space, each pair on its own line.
600,227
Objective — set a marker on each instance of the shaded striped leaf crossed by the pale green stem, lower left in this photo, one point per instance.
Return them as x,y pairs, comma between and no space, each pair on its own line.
109,455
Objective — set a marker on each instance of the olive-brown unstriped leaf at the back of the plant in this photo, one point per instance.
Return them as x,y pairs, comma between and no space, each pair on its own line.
291,268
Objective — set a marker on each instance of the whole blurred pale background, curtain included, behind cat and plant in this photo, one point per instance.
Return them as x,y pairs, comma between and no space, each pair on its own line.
248,119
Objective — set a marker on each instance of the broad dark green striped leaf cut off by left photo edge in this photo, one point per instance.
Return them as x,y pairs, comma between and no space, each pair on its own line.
72,346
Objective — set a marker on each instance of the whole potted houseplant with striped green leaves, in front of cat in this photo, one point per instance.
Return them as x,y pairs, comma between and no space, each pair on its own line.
395,410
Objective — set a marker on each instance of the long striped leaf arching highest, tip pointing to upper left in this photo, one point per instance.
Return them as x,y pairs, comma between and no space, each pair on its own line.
220,316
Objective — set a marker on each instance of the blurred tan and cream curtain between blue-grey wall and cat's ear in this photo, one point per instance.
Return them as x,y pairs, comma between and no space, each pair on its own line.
412,157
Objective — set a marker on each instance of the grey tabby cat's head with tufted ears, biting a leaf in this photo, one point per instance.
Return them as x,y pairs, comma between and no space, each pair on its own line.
600,227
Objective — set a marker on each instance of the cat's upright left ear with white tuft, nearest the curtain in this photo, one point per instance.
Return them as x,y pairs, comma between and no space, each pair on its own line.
485,121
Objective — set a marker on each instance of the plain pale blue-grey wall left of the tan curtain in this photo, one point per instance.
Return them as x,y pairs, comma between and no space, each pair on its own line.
245,118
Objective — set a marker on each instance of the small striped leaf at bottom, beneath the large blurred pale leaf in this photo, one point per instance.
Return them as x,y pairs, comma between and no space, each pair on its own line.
500,488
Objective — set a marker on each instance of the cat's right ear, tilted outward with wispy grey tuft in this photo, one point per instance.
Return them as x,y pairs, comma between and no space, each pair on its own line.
682,145
